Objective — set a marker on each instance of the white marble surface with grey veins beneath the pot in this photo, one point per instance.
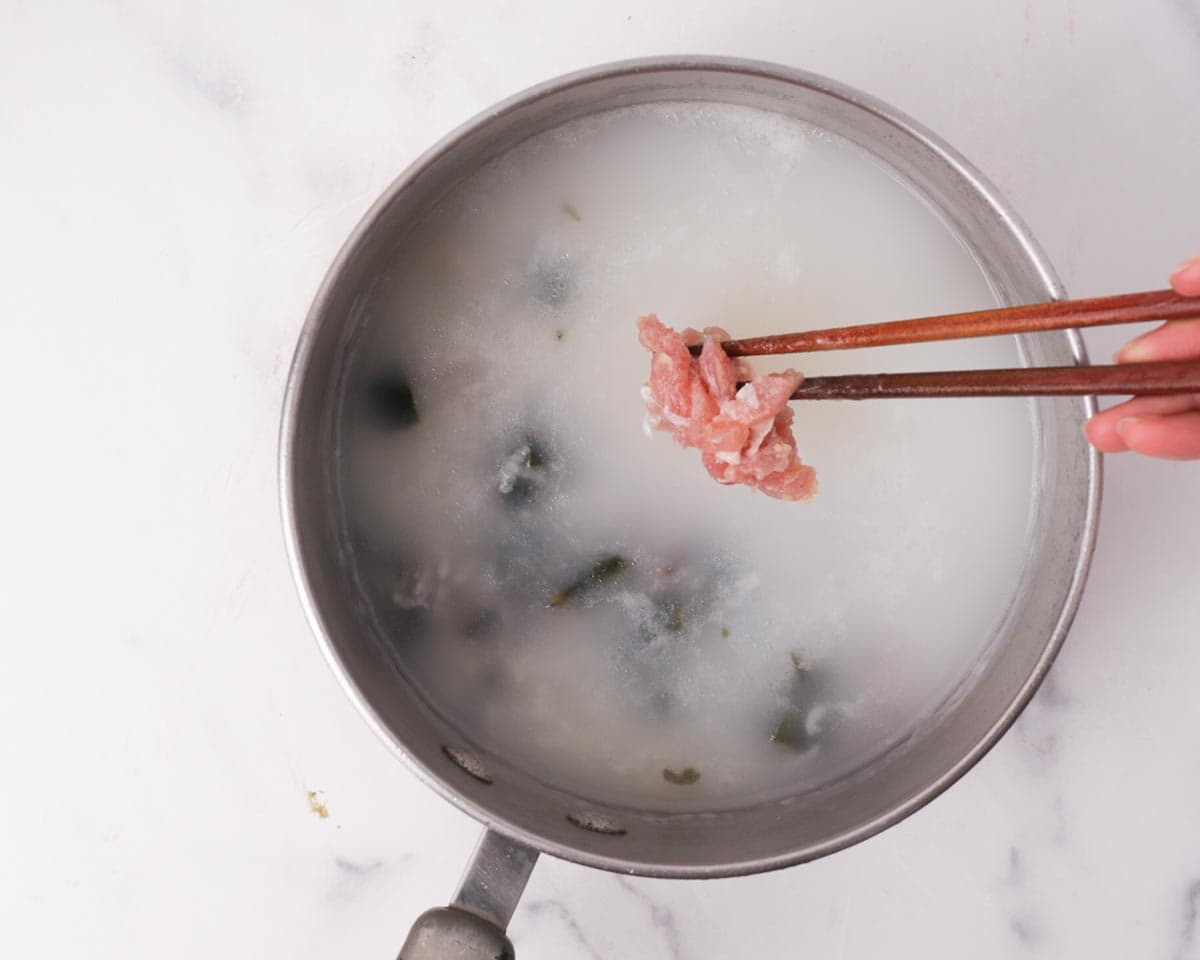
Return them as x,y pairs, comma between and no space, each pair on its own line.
173,183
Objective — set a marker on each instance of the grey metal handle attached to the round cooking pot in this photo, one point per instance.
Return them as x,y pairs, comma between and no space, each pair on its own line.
472,928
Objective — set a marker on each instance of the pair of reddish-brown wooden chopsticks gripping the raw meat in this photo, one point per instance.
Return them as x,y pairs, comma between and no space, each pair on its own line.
1144,380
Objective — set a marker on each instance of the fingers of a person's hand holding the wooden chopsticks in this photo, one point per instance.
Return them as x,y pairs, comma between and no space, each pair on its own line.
1167,428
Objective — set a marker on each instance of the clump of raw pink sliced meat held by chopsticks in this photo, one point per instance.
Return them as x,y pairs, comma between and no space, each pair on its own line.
745,436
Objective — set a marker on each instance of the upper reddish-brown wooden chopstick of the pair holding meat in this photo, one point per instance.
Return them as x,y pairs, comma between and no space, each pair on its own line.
1057,315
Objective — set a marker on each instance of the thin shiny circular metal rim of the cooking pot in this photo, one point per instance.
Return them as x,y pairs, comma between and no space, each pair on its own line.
907,128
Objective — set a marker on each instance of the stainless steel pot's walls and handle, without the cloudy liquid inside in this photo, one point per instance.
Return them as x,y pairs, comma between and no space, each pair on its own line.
524,817
